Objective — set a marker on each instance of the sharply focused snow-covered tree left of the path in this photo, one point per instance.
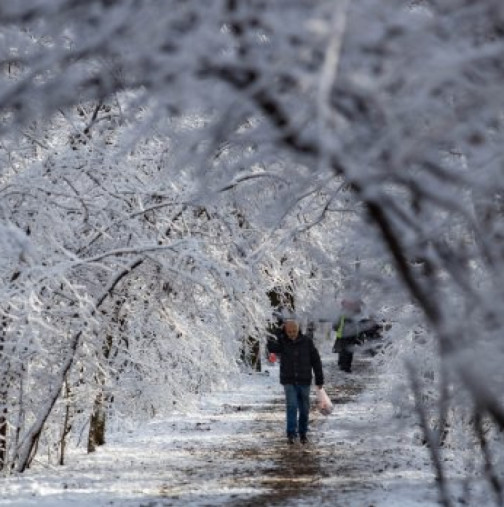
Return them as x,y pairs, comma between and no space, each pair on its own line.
168,328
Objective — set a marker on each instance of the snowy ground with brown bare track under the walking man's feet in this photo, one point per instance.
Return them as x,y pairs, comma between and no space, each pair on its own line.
232,451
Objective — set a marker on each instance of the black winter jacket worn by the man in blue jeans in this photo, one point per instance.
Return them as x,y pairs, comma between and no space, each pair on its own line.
297,359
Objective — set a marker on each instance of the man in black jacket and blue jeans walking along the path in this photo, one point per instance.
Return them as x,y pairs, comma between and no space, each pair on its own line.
298,359
